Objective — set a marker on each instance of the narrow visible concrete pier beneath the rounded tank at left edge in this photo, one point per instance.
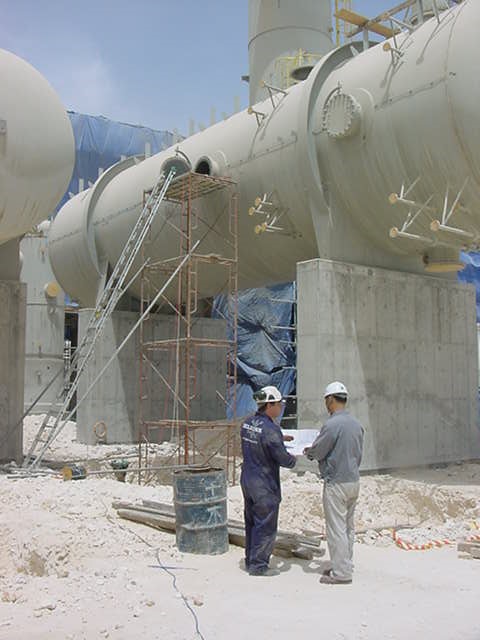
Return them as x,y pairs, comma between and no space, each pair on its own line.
12,358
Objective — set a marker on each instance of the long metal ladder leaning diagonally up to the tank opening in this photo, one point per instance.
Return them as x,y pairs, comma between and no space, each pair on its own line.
55,419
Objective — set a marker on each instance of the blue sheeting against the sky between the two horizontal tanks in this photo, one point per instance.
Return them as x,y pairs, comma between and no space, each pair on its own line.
100,143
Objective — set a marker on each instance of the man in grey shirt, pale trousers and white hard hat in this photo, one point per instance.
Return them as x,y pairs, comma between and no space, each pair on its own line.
338,450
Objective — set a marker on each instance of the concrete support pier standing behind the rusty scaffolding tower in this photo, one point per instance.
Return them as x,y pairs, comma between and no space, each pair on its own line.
115,398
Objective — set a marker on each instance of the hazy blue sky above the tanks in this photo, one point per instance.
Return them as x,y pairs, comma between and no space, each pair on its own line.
152,62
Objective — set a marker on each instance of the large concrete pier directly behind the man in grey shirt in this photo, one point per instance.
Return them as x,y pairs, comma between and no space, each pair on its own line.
406,347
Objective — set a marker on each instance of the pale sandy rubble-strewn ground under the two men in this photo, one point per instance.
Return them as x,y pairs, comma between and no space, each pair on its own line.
70,569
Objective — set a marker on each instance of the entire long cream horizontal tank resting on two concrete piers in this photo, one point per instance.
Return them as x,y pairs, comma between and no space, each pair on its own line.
331,154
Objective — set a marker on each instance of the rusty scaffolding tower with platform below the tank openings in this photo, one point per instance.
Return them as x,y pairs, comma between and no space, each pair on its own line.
170,403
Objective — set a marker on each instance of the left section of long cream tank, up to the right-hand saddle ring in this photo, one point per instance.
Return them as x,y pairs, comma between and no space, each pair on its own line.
90,231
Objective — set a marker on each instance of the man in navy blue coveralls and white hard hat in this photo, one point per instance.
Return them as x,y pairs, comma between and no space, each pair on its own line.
263,454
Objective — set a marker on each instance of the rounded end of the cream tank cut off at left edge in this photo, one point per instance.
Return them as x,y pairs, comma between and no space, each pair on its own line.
36,147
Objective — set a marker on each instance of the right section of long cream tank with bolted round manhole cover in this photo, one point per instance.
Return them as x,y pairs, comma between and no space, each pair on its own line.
402,113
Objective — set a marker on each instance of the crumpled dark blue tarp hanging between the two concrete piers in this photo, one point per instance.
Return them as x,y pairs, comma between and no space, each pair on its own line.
264,350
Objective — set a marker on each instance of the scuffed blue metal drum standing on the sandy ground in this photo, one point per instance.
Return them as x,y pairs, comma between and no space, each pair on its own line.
200,497
